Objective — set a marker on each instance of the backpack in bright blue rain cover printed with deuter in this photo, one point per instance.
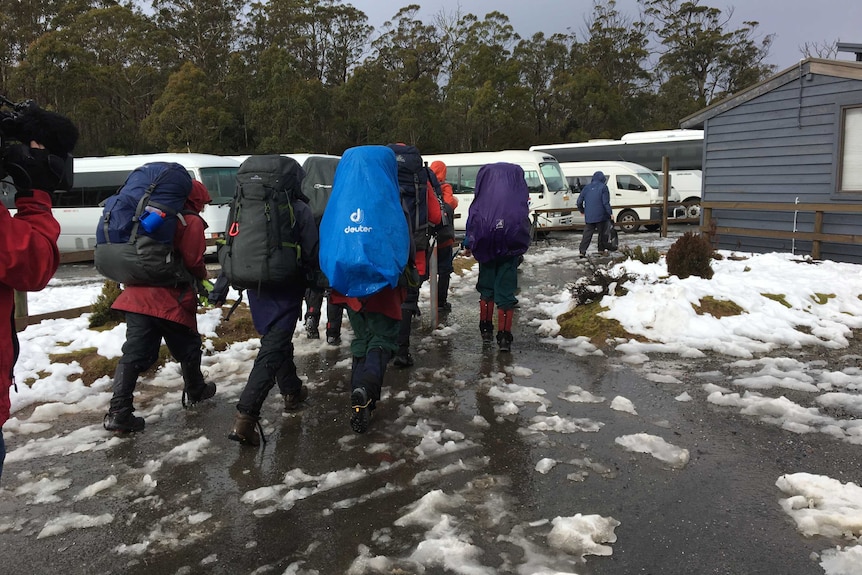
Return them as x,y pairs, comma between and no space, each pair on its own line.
364,238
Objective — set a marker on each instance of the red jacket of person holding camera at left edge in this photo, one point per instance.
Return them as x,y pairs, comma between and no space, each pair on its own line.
28,259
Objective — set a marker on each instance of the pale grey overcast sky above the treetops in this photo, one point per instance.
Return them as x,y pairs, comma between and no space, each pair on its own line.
794,22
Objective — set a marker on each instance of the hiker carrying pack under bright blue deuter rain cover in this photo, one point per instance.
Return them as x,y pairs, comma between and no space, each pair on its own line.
366,252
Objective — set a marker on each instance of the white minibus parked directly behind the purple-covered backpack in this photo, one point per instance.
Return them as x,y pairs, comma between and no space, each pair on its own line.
548,188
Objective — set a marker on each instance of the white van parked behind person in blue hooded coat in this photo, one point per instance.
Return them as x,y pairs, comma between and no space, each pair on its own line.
635,191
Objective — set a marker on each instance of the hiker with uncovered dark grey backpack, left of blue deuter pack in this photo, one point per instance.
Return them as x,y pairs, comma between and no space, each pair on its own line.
271,251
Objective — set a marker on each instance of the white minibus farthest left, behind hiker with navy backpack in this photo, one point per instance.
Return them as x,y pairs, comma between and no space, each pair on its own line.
97,178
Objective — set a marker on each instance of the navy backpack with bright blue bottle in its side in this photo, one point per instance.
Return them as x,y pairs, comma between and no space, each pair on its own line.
126,250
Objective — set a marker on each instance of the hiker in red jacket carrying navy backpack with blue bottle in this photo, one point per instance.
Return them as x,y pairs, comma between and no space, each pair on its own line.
160,310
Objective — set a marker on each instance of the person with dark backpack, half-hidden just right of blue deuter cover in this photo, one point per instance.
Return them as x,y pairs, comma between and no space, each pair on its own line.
423,213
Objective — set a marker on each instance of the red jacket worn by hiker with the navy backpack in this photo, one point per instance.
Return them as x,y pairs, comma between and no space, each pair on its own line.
178,304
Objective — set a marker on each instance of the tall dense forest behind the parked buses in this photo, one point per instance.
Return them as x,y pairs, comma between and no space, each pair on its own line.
233,77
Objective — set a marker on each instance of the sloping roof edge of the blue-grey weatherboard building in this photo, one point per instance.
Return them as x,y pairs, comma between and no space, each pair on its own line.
835,68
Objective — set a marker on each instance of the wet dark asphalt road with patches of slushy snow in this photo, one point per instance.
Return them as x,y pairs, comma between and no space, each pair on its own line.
717,515
